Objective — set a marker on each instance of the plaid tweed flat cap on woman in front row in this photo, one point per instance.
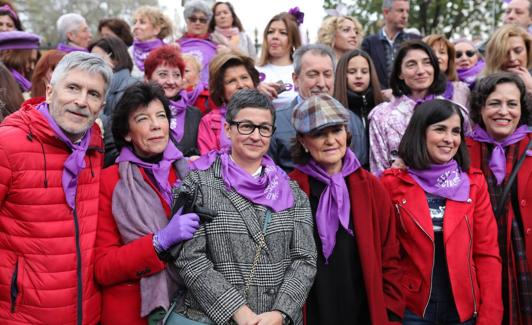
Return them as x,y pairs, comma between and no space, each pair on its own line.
318,112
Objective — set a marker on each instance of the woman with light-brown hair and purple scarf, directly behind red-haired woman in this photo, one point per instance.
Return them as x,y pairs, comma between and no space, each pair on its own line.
151,26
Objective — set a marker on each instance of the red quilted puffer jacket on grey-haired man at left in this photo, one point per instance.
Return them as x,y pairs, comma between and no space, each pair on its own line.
46,248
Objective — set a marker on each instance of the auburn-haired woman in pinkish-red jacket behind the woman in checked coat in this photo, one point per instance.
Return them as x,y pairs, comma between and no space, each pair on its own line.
229,72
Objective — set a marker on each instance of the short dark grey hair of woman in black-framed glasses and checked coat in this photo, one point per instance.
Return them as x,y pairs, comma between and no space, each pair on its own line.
246,98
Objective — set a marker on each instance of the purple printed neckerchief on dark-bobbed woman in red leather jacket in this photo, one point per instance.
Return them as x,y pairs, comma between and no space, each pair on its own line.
445,180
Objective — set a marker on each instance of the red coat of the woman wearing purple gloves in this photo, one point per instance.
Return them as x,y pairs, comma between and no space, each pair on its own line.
120,267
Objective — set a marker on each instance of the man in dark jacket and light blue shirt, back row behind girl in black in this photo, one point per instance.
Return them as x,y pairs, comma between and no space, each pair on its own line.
383,46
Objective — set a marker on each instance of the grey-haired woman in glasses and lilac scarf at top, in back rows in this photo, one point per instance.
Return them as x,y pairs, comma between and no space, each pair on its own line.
197,40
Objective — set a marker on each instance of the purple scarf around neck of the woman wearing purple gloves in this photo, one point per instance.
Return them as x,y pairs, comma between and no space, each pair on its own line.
160,171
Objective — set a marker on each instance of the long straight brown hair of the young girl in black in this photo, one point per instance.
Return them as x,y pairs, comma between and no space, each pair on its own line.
340,81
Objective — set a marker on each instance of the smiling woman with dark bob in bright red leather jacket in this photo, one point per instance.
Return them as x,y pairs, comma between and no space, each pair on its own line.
445,224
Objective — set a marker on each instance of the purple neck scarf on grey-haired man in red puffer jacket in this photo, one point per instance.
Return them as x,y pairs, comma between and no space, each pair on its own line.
75,162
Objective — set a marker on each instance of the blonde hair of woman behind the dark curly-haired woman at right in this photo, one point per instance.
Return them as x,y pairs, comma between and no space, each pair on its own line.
498,46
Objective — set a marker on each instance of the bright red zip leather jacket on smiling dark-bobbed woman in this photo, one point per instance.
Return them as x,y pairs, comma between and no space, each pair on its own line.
470,238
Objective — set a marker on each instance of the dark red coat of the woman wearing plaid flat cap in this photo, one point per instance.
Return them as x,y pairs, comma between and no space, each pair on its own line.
375,234
